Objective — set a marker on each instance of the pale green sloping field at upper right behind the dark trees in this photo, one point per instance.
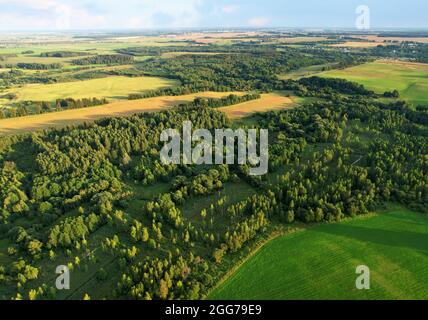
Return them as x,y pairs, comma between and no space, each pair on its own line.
410,79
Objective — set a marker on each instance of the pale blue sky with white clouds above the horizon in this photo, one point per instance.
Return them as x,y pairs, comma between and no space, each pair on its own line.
36,15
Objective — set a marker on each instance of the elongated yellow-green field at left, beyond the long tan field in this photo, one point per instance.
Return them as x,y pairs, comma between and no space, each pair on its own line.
111,88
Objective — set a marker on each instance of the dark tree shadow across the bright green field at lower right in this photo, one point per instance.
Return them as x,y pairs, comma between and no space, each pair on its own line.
400,239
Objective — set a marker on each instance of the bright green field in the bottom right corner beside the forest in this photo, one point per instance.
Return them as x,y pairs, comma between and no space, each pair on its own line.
320,263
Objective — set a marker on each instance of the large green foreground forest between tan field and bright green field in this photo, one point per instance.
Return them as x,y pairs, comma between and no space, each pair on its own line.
75,195
